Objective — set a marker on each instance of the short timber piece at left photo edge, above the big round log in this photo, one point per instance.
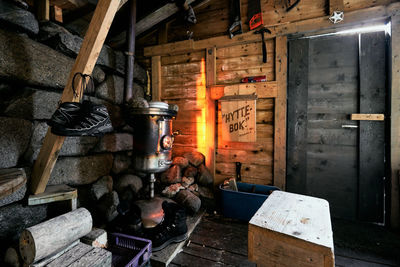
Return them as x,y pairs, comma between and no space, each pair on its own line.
11,180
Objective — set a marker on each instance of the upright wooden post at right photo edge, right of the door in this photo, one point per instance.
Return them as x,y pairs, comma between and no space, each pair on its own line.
395,123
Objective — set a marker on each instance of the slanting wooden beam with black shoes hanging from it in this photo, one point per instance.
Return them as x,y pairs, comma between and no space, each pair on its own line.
84,63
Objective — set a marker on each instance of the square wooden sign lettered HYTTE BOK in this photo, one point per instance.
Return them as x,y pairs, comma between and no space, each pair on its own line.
239,118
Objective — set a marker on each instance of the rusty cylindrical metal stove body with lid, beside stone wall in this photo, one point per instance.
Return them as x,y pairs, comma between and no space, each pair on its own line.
152,137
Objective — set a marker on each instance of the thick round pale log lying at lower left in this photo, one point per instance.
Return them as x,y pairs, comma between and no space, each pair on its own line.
41,240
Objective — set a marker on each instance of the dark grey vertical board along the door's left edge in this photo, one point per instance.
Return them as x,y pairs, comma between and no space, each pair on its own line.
297,115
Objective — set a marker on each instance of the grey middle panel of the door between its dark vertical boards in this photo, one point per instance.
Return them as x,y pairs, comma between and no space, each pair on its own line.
332,153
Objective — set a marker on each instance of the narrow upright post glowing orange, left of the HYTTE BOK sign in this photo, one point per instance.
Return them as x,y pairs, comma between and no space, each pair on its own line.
211,142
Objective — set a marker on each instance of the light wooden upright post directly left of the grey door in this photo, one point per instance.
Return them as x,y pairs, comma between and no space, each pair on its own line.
280,113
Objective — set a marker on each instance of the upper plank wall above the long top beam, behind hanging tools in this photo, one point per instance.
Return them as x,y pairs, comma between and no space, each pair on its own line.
213,17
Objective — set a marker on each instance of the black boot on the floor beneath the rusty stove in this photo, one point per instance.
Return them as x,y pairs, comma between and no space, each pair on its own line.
172,229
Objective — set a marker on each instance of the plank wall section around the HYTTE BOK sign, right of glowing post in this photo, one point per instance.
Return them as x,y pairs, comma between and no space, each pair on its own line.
233,64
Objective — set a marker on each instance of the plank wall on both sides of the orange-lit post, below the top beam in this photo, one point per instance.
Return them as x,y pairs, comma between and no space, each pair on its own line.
183,81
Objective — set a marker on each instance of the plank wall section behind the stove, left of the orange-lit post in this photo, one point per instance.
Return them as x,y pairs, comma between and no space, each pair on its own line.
183,83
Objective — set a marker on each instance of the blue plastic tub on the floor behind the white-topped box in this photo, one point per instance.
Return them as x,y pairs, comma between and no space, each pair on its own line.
245,202
